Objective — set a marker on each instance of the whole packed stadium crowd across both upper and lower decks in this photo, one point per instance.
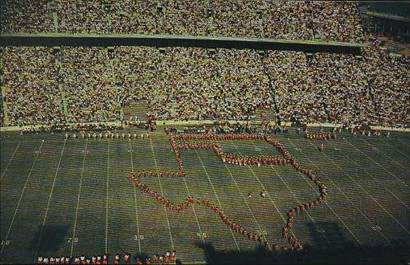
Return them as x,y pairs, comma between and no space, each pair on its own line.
198,83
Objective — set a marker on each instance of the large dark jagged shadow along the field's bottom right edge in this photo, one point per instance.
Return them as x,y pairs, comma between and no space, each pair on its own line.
340,251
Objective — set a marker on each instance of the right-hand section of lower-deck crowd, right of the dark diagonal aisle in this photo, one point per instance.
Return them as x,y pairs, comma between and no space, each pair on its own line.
368,90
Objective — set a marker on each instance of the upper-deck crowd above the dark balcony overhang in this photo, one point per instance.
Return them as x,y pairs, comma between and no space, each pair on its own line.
326,20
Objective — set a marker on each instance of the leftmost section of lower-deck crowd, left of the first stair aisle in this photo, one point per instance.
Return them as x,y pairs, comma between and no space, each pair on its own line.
30,86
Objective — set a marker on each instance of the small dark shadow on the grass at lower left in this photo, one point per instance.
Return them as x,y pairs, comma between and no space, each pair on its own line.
52,238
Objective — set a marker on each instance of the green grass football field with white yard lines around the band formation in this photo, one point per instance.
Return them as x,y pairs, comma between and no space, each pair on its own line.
73,197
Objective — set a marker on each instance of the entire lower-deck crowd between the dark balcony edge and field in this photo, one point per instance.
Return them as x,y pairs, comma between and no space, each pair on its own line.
53,86
